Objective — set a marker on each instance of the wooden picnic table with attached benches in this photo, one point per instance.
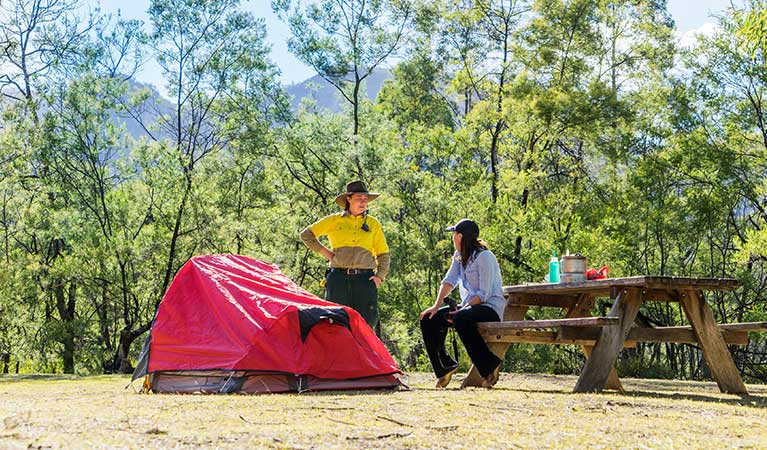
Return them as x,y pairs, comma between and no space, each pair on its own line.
602,338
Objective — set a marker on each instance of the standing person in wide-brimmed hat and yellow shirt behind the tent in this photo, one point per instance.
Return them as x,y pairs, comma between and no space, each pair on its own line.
358,254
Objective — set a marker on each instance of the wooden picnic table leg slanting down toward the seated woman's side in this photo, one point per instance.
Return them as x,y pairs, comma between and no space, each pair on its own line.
596,371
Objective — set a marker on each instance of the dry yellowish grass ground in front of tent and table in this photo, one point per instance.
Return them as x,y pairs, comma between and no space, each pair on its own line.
523,411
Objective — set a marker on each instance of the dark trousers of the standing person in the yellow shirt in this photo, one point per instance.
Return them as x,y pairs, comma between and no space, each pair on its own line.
356,291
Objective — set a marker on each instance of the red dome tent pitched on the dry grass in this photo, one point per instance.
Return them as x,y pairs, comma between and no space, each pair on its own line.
231,323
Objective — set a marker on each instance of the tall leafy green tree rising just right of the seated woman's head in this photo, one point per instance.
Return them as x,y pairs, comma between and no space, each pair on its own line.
519,62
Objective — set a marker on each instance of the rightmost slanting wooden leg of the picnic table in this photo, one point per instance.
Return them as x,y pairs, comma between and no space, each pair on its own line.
712,343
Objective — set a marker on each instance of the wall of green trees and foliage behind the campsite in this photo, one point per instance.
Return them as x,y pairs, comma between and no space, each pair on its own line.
556,125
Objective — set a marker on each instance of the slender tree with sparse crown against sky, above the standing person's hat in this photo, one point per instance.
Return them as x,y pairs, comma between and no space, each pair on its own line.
344,41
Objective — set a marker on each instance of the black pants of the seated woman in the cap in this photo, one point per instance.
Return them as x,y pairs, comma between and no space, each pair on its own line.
434,331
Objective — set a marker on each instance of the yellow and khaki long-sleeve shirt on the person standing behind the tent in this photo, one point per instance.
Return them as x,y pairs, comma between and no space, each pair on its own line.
354,247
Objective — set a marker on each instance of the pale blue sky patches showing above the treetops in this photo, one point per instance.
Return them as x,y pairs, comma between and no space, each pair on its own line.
689,15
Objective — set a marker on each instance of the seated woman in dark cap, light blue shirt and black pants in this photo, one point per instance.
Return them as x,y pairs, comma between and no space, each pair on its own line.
477,271
